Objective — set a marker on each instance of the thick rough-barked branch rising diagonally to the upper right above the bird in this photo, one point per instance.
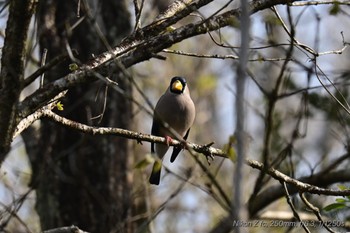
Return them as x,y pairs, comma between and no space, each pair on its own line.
134,50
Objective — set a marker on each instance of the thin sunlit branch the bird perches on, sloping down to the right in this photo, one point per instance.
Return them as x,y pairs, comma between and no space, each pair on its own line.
308,184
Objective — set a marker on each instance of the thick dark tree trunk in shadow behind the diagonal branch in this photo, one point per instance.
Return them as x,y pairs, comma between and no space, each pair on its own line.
82,179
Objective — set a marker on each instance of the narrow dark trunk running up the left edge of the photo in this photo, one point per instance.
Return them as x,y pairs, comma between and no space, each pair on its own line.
12,68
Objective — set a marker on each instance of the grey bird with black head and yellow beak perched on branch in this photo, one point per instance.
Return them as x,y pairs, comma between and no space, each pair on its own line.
175,108
